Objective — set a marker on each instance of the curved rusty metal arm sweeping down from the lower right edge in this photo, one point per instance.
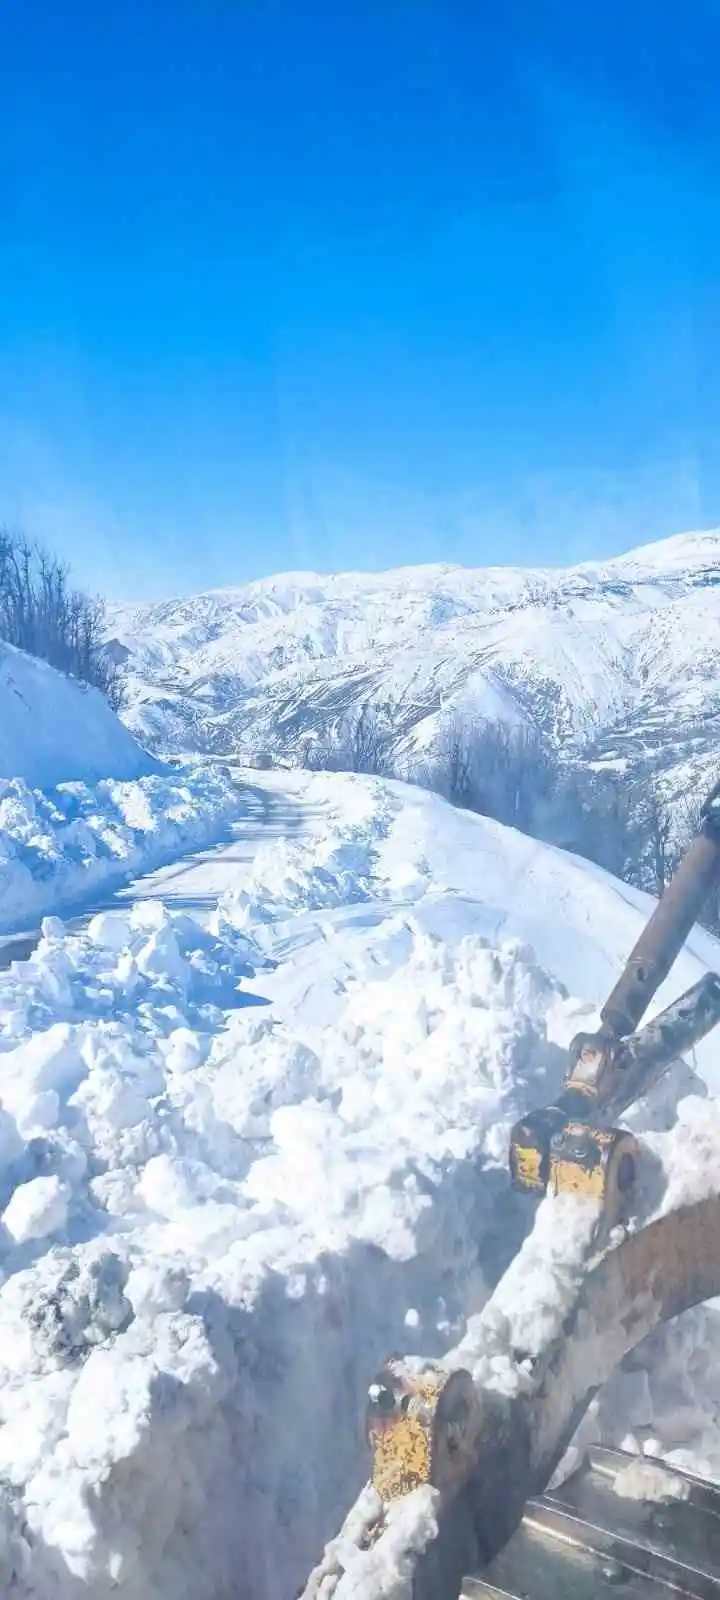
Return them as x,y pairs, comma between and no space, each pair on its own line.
649,1279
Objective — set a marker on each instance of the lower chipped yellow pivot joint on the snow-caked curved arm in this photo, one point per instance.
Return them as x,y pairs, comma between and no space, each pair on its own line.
422,1425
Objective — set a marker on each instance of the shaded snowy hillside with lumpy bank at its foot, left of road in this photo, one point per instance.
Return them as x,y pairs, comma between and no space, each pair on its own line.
82,806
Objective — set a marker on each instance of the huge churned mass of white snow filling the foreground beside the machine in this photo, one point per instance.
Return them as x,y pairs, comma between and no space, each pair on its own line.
252,1140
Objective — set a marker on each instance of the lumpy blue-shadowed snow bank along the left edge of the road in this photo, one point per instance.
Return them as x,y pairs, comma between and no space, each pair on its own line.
62,846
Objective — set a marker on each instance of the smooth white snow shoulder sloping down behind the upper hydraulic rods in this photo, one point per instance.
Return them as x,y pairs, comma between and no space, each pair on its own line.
471,874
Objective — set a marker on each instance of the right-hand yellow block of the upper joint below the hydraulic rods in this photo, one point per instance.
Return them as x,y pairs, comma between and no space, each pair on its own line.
598,1164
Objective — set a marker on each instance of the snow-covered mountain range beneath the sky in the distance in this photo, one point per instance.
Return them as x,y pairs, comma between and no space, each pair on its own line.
617,660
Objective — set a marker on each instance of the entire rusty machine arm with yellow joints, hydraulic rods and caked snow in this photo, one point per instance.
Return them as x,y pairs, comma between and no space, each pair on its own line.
462,1446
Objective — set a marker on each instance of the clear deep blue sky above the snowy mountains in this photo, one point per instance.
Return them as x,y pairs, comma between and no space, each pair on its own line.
290,284
